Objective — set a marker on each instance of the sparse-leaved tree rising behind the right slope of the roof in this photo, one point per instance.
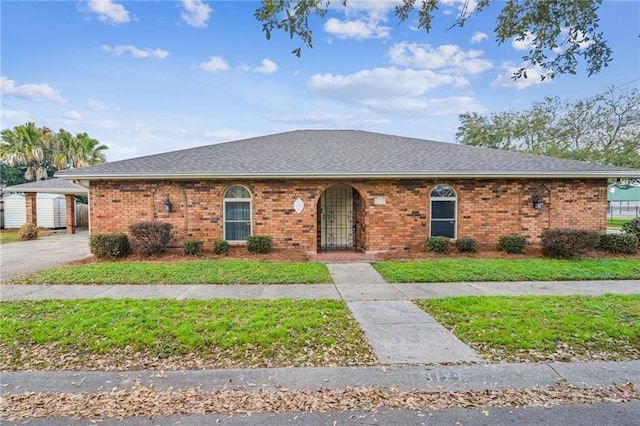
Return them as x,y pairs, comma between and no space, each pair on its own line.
604,128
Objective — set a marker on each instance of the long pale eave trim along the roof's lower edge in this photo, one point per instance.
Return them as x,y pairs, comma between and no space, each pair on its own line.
360,175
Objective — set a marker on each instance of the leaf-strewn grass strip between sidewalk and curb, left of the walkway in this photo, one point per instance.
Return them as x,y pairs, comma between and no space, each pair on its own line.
125,334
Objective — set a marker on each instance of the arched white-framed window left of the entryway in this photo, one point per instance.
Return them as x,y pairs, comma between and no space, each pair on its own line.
237,213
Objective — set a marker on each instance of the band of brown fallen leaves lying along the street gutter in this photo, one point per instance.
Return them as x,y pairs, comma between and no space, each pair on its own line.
150,402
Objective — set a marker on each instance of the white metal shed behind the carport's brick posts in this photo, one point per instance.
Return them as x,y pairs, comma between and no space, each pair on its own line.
51,208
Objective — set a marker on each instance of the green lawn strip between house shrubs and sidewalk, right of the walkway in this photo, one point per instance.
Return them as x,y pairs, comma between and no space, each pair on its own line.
453,270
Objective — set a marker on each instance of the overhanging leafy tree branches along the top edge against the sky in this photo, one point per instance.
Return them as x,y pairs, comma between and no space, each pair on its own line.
560,32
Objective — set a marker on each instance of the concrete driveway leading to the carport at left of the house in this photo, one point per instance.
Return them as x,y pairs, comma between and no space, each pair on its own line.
25,257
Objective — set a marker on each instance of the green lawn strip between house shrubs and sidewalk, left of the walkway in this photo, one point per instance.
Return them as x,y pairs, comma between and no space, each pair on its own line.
196,272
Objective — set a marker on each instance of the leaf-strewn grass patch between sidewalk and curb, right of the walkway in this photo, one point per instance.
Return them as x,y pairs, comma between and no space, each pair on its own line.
535,328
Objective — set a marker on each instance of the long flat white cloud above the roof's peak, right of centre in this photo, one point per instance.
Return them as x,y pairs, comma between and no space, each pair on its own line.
380,83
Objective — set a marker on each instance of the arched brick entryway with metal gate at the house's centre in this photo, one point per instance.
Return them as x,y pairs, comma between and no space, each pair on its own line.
340,219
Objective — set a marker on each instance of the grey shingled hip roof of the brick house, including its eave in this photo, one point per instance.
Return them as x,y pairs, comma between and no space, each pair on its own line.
341,153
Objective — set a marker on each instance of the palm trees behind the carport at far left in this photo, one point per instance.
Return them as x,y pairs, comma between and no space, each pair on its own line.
39,151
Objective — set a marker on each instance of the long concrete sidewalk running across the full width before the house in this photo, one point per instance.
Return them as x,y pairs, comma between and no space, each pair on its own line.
352,292
